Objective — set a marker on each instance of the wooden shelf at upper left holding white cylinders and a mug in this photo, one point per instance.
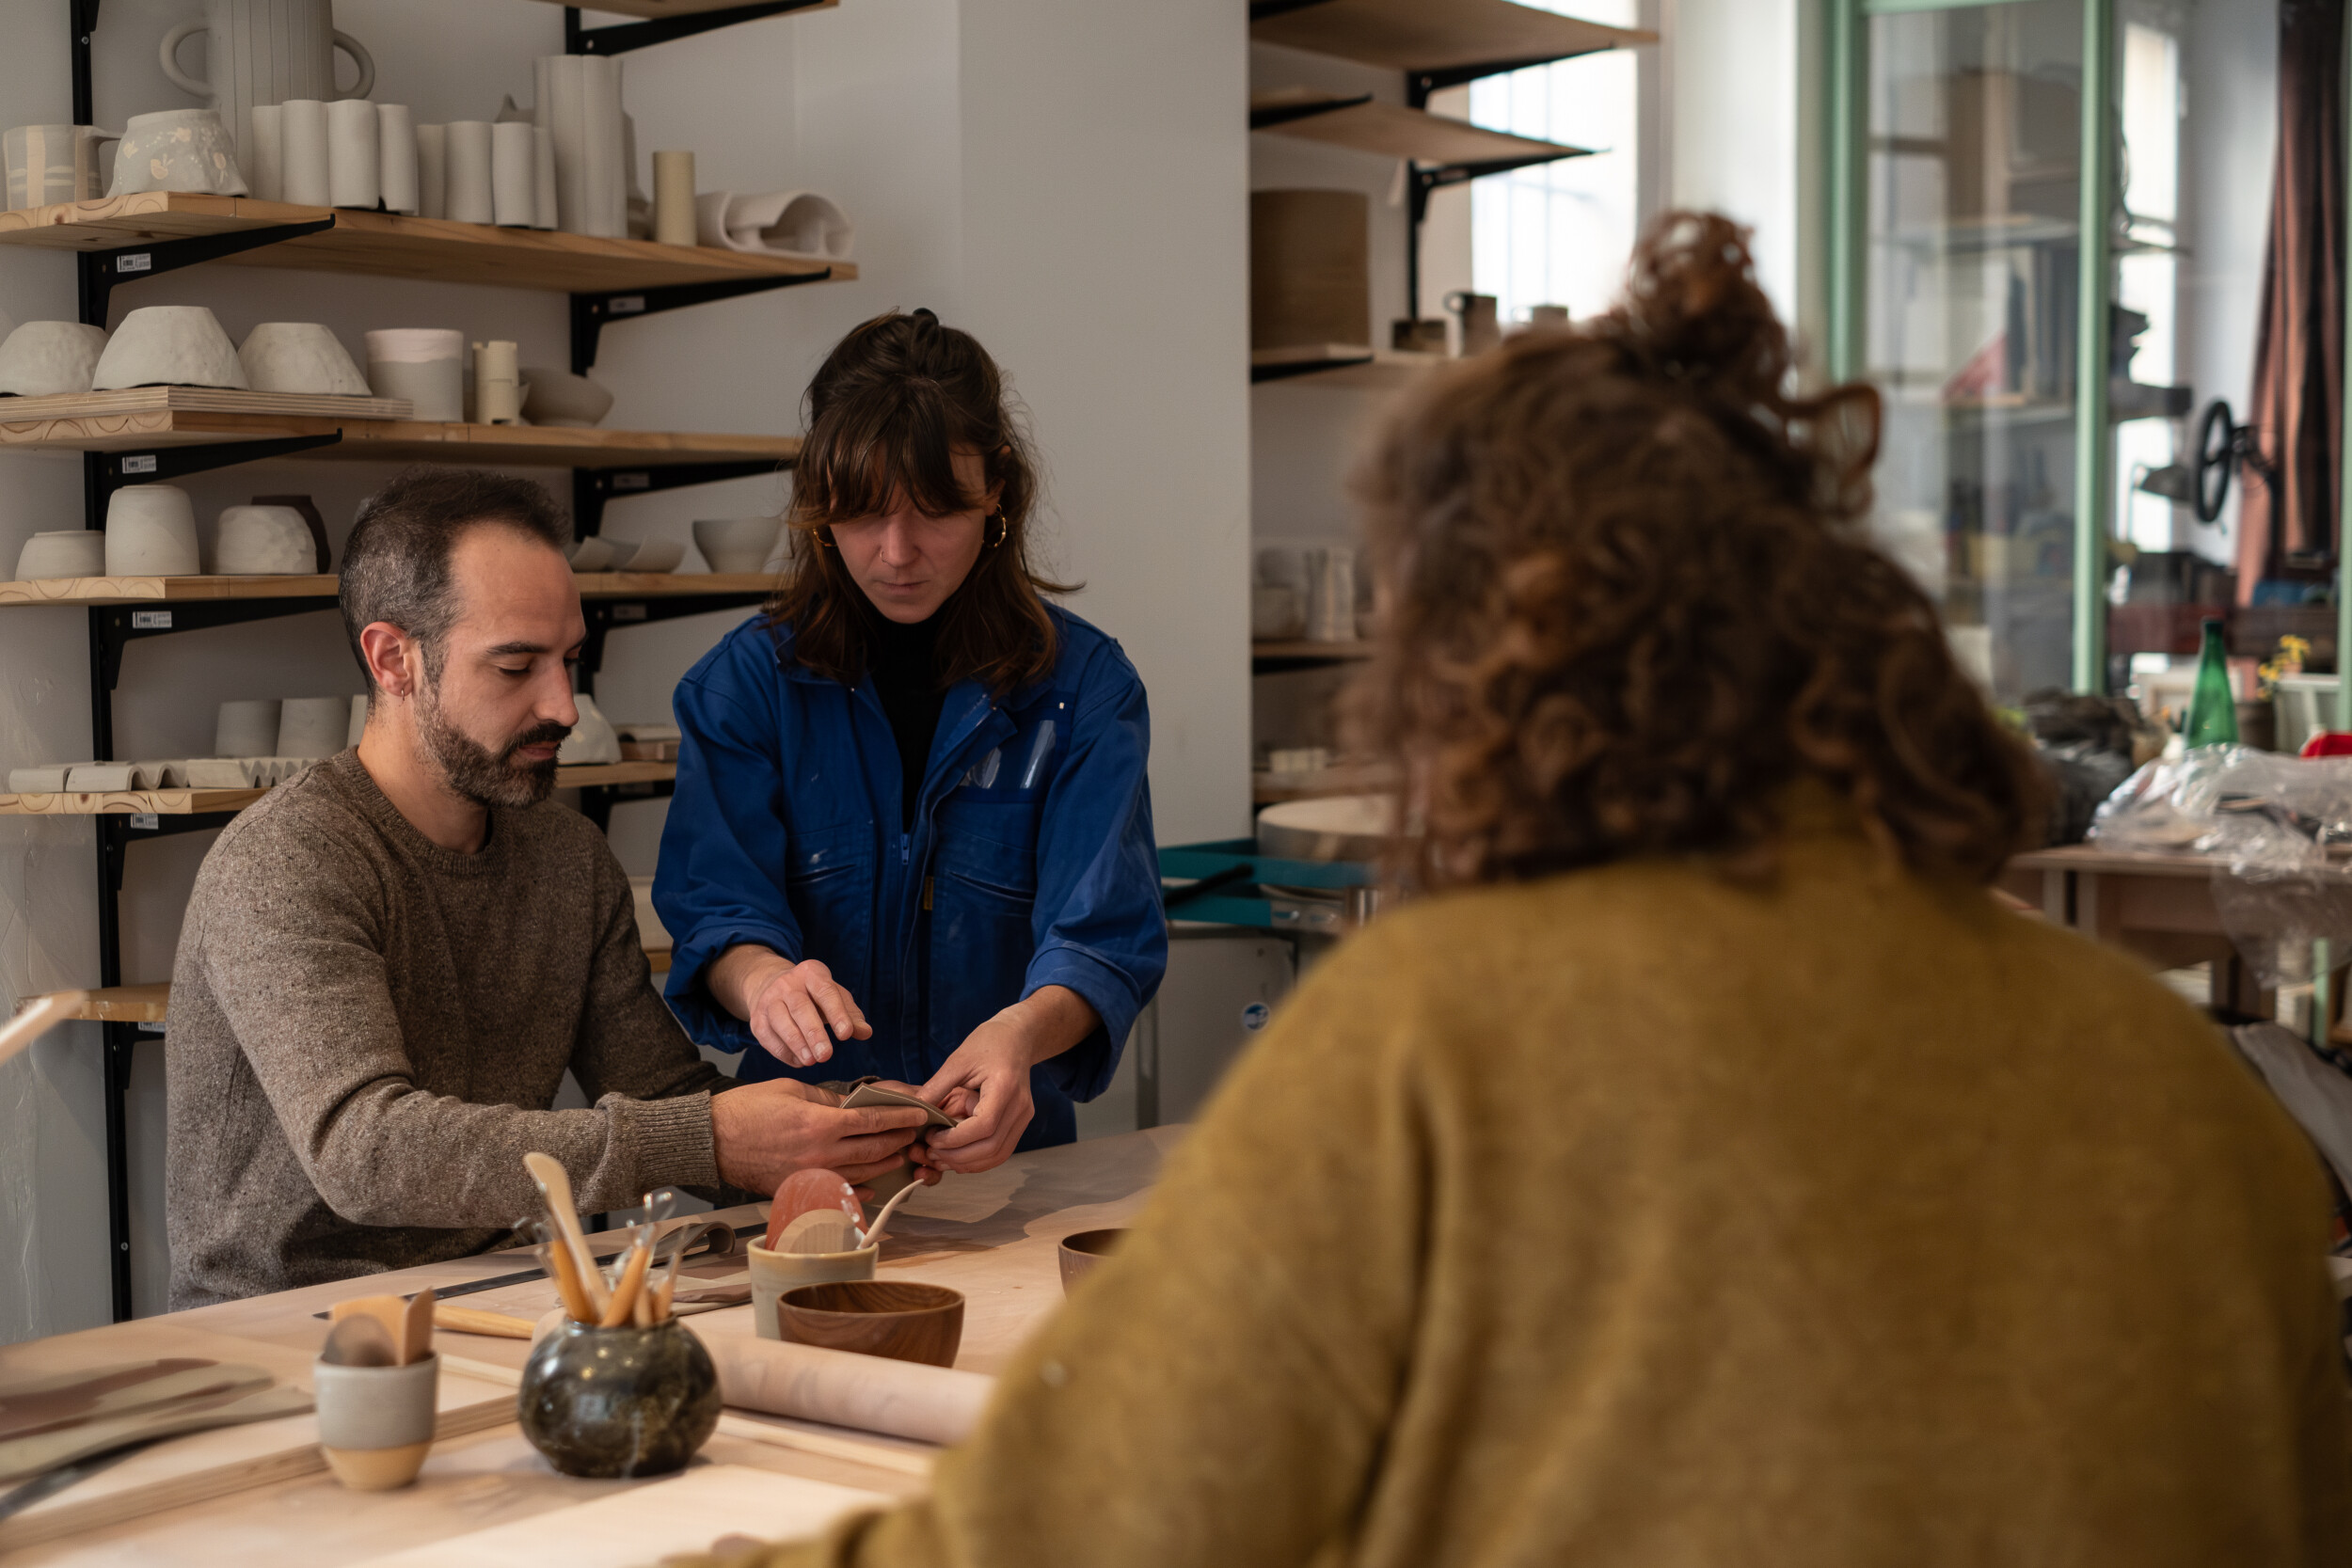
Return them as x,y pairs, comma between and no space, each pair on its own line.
387,246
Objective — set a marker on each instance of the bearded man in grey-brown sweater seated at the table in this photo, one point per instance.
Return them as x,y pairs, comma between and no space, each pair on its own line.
392,960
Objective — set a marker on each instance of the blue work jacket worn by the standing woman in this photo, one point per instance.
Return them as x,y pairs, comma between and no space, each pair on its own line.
1031,859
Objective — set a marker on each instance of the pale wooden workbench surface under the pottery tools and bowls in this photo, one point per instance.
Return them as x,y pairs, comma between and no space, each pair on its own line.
994,1238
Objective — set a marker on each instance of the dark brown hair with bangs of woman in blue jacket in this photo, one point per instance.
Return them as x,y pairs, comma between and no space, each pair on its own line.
886,415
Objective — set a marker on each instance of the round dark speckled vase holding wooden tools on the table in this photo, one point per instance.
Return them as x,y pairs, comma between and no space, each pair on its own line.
620,1402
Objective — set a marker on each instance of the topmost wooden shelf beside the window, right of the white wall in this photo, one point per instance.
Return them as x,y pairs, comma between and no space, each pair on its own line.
1438,34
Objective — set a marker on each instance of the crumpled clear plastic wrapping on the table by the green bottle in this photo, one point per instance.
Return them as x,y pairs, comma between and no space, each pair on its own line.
2278,833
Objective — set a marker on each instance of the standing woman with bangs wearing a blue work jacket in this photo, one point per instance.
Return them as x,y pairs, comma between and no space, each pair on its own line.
911,836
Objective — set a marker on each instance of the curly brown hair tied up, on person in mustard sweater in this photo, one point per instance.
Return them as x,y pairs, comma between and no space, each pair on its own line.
1626,603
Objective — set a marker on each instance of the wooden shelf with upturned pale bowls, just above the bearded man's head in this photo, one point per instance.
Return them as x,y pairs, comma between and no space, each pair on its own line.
161,417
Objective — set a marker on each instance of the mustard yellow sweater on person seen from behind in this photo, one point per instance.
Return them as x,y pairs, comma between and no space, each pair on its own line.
1643,1219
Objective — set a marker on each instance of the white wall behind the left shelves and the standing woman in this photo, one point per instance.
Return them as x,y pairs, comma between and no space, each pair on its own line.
1064,182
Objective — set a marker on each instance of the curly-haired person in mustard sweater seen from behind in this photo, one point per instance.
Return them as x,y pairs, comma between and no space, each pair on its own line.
1702,1167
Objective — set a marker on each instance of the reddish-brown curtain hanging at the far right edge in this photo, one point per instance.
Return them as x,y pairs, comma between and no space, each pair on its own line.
2290,530
